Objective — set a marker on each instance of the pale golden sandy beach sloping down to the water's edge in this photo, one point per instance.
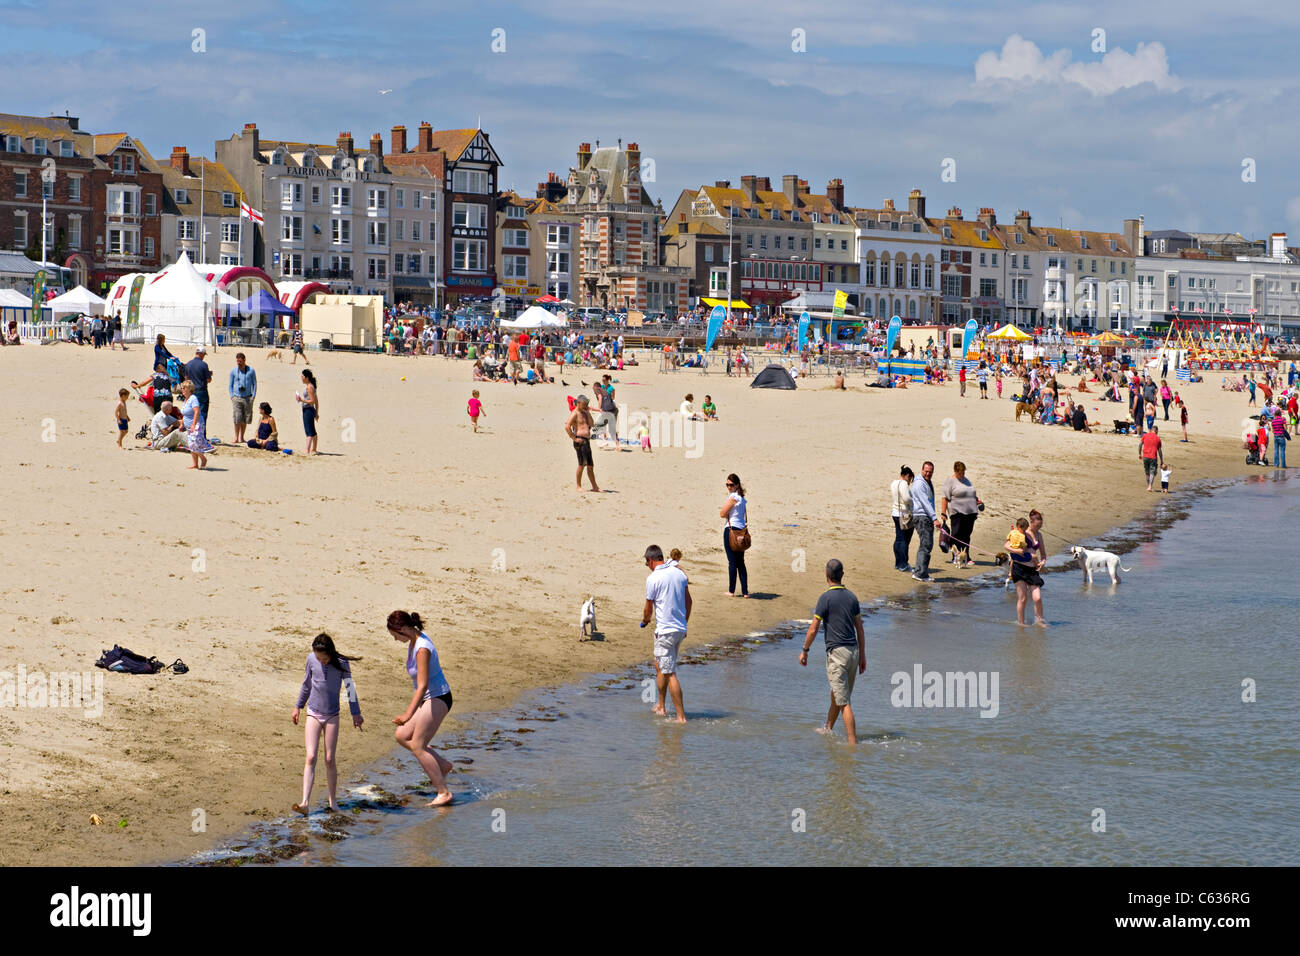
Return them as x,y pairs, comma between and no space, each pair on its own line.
235,570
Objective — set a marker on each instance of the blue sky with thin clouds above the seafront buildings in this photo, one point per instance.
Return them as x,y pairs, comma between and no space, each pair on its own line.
881,96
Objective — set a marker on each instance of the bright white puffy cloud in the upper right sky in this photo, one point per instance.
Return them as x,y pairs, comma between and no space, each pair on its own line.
1021,62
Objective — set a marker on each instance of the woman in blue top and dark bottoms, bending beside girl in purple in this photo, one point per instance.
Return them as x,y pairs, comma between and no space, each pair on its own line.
431,702
